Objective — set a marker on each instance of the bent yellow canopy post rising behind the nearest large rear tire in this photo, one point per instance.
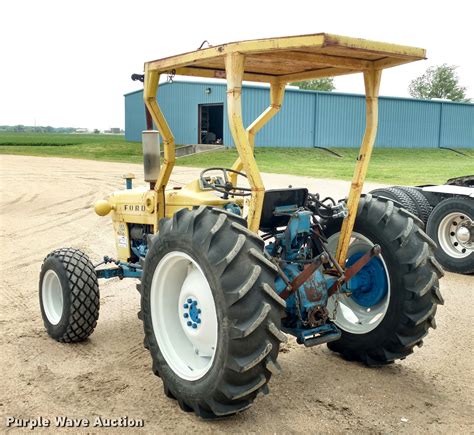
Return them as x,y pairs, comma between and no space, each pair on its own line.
234,64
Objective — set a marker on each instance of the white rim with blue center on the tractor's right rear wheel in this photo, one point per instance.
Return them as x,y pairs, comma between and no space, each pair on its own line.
347,313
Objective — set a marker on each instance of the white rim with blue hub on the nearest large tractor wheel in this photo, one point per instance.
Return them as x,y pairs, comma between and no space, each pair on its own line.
187,338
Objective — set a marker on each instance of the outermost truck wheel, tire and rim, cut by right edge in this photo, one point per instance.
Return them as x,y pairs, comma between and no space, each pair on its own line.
451,226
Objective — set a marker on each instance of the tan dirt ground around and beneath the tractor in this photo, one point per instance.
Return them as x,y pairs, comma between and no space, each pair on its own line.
46,203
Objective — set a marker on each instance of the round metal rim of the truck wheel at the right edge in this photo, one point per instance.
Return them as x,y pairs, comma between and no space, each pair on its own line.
455,235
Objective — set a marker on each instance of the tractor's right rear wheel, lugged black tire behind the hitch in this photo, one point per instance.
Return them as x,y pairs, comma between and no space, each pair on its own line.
412,273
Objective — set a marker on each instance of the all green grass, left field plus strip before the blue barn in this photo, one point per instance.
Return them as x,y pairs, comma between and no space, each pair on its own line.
391,166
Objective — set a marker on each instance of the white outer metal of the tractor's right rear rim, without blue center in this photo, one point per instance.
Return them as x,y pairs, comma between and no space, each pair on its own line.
348,314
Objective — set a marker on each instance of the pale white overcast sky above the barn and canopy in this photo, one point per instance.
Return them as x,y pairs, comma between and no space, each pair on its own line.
68,63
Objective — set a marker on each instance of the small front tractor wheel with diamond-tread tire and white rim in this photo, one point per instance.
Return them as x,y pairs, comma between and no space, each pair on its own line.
69,295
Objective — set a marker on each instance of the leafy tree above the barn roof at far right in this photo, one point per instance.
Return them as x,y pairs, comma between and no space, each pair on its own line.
438,82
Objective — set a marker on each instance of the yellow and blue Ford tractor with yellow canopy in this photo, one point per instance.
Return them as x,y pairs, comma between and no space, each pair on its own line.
227,270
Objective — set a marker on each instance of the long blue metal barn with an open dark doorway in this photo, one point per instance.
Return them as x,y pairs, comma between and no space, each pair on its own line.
196,112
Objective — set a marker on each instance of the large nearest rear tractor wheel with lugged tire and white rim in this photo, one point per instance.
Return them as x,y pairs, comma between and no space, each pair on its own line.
211,317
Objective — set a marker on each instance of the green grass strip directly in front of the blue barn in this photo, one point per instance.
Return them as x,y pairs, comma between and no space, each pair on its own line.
391,166
